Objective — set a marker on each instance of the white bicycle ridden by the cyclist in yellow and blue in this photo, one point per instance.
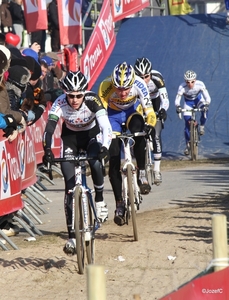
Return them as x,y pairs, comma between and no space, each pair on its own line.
130,190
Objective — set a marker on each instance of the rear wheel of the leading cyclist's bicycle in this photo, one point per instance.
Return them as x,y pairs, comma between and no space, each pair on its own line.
90,245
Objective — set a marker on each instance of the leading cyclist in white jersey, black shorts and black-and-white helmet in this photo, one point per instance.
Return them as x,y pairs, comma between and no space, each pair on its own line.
83,118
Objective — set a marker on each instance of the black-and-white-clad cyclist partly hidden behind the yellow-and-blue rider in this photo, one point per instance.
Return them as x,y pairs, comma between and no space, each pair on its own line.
160,101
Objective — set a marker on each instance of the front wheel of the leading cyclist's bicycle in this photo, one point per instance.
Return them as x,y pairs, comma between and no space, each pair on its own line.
79,229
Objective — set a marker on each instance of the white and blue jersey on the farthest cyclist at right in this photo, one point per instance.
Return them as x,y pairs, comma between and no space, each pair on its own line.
198,92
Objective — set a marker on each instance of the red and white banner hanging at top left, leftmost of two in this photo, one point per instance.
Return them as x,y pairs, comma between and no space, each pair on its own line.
35,15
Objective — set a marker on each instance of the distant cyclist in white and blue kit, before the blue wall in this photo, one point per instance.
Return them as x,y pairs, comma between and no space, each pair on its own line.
195,95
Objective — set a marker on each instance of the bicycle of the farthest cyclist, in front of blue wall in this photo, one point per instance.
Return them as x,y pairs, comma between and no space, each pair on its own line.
194,131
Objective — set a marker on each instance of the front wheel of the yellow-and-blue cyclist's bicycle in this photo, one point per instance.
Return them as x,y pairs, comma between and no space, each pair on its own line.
131,199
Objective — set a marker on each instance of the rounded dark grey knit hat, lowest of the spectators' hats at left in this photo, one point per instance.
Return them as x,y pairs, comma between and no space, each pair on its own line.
19,76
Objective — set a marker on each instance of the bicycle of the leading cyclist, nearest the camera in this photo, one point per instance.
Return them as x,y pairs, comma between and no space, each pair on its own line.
84,218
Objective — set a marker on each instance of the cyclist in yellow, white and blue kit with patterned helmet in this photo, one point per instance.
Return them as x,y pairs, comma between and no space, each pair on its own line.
126,97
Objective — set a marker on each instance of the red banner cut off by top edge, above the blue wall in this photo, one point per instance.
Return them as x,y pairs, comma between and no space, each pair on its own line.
123,8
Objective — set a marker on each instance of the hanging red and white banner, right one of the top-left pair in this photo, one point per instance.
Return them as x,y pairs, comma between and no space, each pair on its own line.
69,14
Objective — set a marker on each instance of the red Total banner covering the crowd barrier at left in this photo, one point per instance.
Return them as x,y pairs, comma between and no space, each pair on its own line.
19,161
